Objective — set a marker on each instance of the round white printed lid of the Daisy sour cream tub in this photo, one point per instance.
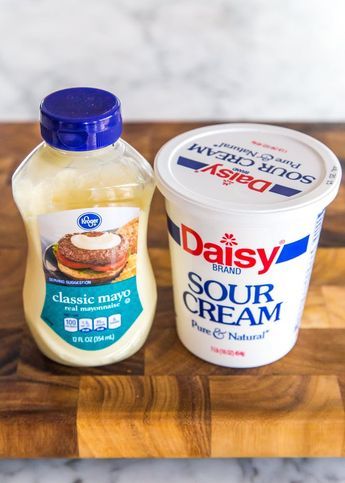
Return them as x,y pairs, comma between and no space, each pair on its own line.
247,168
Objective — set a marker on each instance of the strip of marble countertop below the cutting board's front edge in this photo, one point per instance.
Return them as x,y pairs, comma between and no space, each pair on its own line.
172,471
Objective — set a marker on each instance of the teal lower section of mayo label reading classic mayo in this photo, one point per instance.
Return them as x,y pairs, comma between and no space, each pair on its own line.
92,318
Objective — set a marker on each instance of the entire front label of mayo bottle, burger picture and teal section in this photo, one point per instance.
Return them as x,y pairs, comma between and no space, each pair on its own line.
89,261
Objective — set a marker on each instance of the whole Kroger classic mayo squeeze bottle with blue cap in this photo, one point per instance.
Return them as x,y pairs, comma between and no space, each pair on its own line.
84,195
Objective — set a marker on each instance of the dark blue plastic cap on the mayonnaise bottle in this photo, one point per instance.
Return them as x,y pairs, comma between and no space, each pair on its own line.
81,119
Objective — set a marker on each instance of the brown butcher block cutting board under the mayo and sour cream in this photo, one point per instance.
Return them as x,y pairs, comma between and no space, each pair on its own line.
163,401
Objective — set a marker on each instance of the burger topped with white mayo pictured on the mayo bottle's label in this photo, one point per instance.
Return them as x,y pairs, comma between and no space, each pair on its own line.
96,256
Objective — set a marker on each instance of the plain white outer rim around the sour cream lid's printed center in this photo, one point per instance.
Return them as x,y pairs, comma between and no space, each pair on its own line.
322,195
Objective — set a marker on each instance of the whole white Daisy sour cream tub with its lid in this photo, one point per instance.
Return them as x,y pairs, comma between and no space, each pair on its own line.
245,205
